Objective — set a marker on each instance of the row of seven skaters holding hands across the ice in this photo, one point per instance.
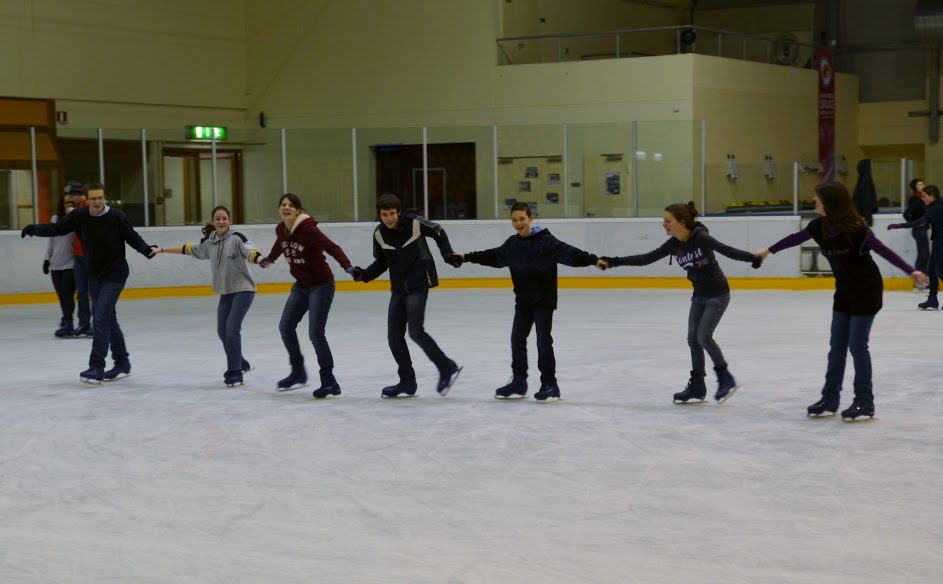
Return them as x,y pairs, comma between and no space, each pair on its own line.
532,255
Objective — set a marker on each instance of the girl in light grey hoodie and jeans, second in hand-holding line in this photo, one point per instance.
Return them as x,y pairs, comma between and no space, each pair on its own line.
227,250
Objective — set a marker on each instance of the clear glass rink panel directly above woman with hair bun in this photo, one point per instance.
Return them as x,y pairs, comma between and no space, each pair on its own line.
668,171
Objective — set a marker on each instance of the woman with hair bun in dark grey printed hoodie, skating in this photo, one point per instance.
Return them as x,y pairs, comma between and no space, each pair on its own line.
691,245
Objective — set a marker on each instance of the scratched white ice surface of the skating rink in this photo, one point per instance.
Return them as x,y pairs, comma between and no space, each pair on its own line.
169,477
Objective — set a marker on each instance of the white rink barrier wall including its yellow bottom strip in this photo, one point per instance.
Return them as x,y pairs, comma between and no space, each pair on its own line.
22,280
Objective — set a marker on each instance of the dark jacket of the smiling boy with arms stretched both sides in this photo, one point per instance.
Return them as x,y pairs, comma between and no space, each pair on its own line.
533,262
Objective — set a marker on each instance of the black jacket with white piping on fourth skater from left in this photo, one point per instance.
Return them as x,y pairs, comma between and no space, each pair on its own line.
406,254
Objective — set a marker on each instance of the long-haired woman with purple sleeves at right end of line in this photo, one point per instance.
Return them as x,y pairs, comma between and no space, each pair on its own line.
846,242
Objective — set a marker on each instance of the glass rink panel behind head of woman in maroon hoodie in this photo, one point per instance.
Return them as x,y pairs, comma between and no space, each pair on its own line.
320,171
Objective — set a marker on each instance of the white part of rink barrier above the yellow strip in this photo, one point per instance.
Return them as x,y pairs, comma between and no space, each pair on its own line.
21,260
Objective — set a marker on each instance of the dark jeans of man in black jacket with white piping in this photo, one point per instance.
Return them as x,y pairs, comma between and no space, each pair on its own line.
408,311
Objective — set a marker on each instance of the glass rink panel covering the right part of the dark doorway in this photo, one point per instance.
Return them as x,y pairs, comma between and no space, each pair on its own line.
461,172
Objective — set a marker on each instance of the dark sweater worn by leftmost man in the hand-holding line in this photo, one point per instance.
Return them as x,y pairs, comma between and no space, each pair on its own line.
103,238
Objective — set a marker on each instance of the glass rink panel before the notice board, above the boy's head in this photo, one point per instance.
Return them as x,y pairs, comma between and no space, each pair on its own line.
530,163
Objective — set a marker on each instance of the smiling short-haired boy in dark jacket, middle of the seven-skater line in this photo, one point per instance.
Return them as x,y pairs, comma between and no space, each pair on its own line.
532,255
